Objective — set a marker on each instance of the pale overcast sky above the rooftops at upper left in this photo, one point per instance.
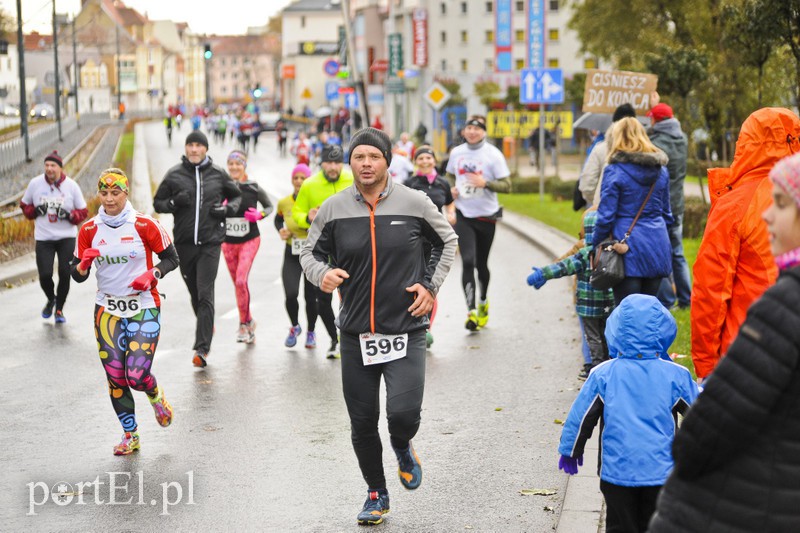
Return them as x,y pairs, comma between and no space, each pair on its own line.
229,17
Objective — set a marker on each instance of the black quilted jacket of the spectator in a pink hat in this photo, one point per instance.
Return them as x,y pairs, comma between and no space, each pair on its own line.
737,454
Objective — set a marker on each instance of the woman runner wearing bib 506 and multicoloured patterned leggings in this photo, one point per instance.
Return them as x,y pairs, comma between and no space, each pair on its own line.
120,243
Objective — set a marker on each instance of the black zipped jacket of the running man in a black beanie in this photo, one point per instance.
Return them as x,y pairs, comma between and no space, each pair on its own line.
207,185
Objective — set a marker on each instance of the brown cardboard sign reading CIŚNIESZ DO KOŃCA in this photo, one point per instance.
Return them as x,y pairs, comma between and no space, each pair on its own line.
606,90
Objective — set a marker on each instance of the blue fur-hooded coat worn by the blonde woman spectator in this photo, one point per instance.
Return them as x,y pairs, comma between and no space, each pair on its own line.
626,182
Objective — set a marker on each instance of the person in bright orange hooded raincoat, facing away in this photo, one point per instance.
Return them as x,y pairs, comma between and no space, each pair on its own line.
734,265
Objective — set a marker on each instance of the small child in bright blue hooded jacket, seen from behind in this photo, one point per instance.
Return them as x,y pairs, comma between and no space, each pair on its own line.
638,393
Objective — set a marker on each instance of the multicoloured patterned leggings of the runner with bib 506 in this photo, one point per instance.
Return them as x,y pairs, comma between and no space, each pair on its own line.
127,347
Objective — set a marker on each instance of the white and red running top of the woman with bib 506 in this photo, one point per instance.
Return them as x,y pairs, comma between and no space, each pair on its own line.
126,253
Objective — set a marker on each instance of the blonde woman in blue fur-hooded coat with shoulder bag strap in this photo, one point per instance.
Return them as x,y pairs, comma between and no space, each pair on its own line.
635,166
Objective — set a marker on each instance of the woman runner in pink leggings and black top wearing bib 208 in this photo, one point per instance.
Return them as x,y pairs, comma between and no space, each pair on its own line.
243,239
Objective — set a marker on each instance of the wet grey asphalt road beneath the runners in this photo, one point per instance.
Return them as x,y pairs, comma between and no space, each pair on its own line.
260,440
